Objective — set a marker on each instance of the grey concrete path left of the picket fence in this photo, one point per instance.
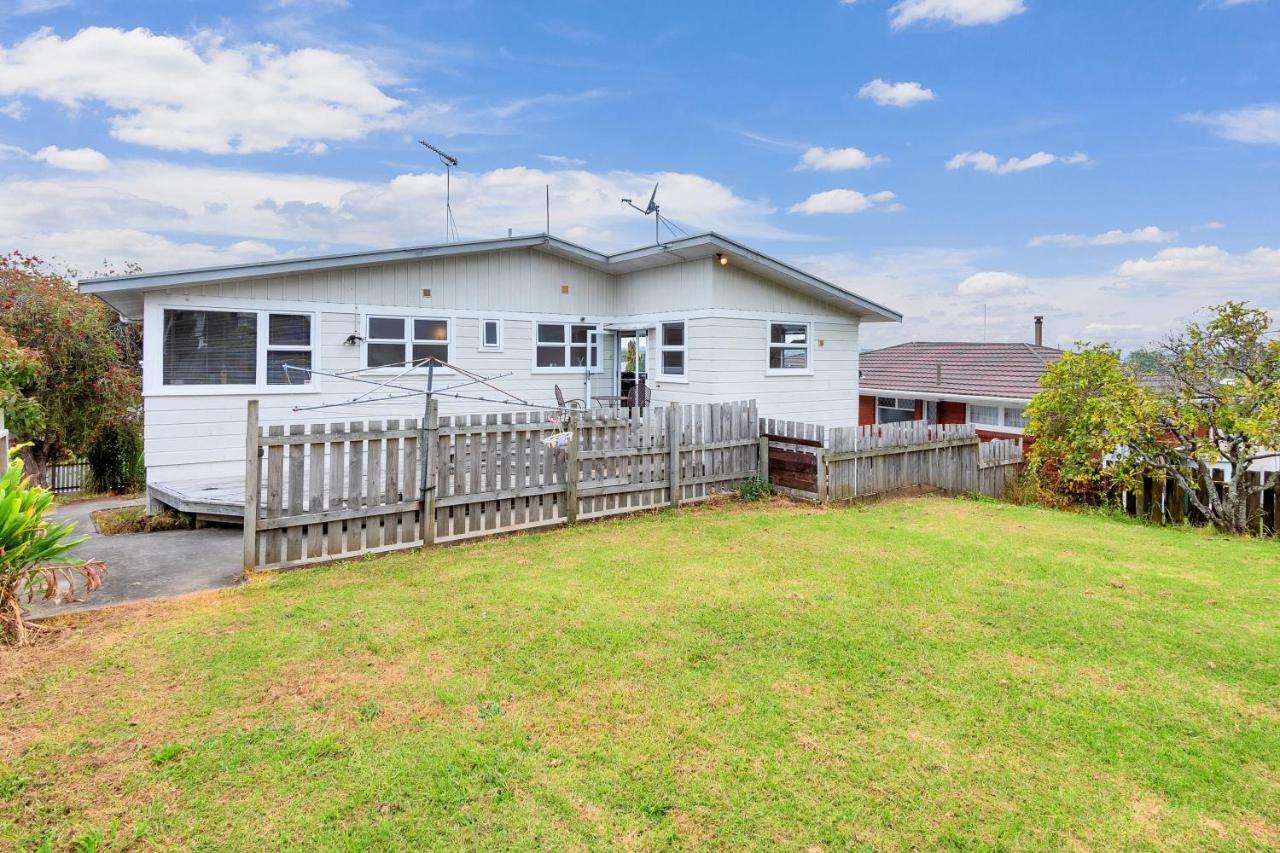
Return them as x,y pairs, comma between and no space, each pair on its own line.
148,565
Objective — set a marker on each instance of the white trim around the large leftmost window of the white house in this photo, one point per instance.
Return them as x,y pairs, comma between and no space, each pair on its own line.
153,363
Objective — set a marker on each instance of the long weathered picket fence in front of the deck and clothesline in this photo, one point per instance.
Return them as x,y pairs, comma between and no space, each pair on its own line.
336,491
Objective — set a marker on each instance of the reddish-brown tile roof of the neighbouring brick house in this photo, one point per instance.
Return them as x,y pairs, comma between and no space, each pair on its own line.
968,370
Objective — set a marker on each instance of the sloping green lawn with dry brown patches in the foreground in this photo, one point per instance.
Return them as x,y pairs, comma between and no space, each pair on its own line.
922,673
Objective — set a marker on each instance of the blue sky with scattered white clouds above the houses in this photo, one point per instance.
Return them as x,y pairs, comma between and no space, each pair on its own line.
971,163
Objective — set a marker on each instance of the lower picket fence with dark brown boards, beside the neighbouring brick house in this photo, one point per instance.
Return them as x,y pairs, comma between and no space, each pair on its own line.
848,463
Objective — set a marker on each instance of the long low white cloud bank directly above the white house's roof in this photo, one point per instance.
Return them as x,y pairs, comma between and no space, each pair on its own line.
194,211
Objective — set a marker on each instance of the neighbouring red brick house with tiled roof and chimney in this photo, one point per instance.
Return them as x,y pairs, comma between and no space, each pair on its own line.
986,385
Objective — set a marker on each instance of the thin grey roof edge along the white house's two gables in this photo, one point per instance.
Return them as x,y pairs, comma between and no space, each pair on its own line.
650,257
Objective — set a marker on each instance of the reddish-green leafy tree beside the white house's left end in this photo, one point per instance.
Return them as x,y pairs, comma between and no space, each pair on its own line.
86,381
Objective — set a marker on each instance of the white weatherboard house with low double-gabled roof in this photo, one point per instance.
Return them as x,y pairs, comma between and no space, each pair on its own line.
707,318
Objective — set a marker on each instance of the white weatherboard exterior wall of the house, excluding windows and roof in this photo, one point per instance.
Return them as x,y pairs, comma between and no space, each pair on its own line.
199,432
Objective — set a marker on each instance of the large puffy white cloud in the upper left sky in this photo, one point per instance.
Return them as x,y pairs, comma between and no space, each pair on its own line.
200,94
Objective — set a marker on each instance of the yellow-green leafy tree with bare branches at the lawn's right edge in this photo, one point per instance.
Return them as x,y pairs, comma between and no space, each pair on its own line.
1098,428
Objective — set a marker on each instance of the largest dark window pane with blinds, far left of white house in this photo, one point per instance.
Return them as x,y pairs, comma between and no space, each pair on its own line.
211,348
